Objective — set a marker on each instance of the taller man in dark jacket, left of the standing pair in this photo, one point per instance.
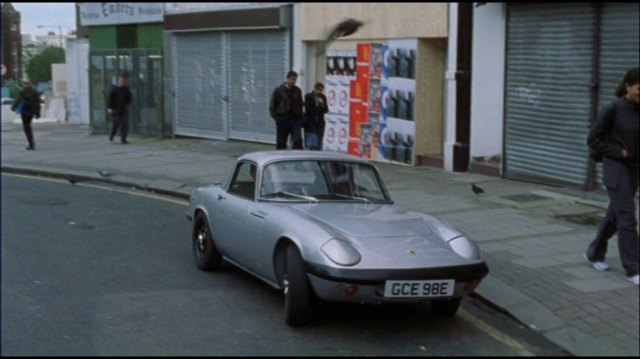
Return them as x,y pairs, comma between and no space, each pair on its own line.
285,108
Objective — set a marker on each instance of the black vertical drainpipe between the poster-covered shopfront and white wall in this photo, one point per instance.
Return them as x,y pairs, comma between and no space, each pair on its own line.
461,148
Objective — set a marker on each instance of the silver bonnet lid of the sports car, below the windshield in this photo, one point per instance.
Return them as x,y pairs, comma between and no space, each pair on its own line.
368,220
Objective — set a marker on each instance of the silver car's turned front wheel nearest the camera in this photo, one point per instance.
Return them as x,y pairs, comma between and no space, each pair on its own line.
298,295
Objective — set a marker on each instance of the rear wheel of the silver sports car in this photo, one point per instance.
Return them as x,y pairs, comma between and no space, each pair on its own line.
205,253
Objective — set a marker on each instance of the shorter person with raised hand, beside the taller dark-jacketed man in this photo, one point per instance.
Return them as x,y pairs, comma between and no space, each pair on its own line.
315,106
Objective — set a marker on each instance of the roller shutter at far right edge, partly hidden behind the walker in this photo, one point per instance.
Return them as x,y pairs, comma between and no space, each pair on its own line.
619,50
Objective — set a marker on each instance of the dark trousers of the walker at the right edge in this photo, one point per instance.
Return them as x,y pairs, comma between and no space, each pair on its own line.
622,185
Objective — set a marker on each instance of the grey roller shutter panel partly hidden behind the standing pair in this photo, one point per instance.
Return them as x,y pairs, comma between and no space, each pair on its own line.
259,61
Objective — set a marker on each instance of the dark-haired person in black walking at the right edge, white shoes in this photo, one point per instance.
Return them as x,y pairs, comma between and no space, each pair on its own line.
615,136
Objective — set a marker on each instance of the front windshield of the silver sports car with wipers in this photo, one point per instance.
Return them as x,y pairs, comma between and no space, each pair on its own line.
310,180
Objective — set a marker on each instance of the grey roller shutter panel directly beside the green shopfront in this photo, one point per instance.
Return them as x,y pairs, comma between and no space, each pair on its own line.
200,84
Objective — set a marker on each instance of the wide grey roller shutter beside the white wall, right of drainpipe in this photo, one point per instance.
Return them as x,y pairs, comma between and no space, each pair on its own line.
549,67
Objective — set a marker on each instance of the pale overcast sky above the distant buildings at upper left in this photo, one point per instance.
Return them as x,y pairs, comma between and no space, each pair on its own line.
51,15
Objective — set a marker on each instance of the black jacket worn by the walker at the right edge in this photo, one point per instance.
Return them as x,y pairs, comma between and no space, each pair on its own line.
615,129
